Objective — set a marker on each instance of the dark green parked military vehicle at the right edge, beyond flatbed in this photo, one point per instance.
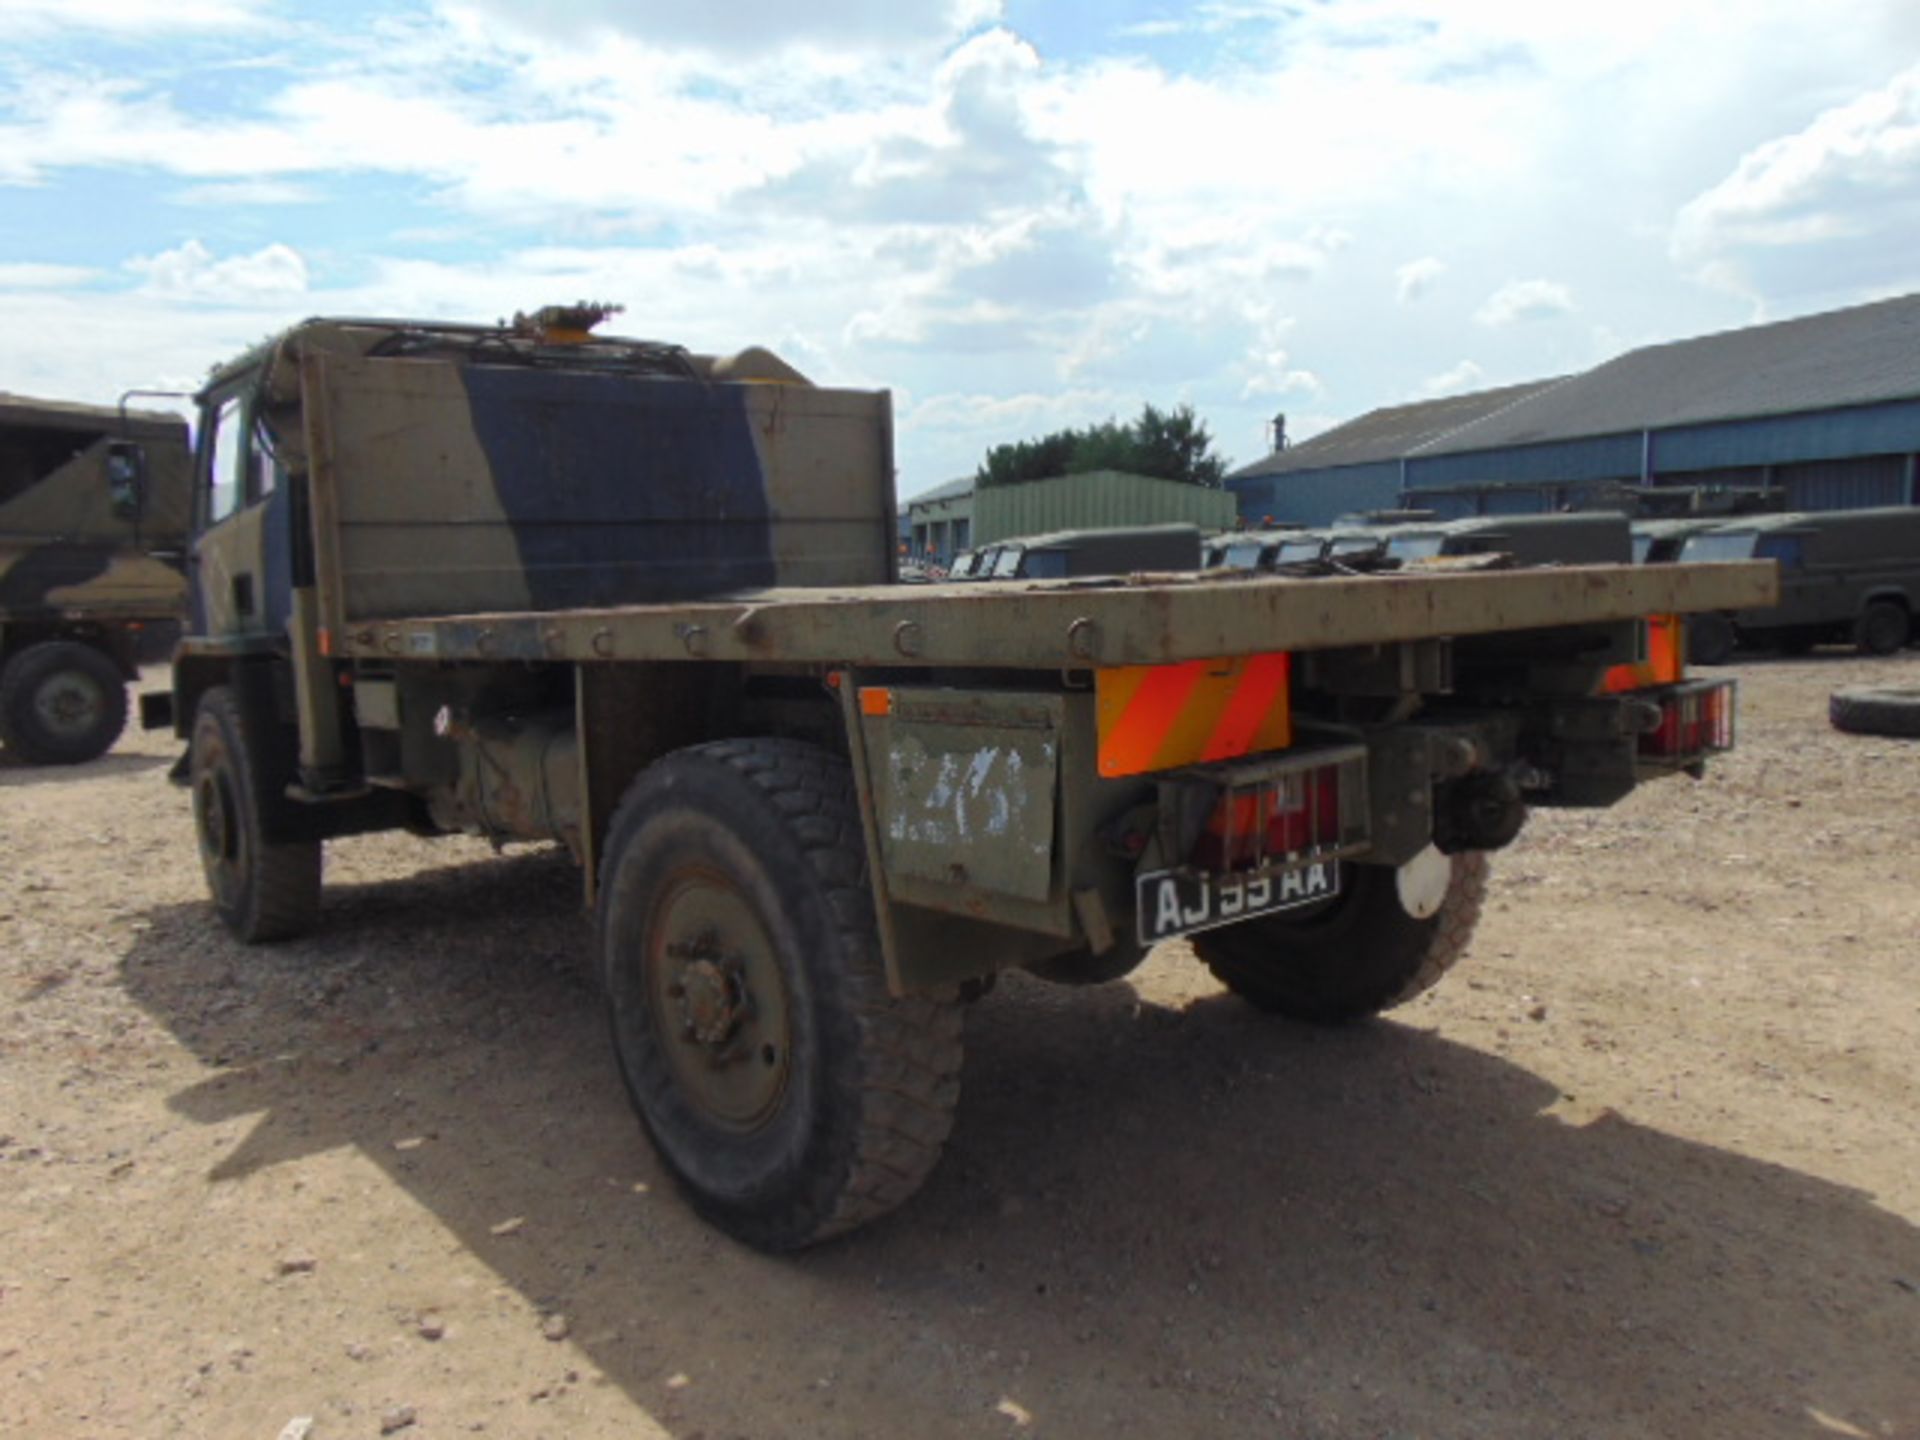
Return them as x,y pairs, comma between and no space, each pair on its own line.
1844,577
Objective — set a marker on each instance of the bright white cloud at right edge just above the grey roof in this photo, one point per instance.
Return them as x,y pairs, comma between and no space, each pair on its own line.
1833,206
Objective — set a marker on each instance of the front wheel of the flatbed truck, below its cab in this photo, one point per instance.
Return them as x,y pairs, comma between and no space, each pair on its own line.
264,890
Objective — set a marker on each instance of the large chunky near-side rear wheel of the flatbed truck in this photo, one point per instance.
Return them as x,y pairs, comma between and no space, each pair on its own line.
782,1086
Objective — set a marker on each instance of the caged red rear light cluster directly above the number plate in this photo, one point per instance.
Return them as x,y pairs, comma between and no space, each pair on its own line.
1301,815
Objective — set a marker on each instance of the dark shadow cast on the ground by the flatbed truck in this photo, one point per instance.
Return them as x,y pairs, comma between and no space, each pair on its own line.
1149,1220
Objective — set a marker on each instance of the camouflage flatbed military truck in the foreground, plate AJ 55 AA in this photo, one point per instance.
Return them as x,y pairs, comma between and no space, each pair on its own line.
546,587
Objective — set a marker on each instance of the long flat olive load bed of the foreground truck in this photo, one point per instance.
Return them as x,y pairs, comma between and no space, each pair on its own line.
1161,619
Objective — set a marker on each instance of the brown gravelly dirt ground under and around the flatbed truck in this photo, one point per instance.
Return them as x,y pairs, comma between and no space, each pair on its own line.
1646,1166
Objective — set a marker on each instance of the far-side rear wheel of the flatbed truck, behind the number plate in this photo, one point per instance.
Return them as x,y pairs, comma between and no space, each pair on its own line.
1389,936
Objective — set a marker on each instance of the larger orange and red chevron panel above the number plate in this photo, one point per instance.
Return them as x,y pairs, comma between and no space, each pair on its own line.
1159,717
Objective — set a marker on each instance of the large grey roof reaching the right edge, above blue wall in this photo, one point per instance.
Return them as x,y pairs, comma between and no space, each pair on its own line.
1861,356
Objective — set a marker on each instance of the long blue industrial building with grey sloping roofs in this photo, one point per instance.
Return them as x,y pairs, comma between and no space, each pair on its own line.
1823,410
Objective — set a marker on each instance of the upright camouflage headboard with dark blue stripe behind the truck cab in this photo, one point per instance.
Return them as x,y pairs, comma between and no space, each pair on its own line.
460,471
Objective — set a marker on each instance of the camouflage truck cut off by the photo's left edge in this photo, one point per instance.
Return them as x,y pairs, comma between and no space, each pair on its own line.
93,521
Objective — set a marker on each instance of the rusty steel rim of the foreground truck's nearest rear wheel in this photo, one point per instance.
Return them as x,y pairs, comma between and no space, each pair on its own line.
717,1001
